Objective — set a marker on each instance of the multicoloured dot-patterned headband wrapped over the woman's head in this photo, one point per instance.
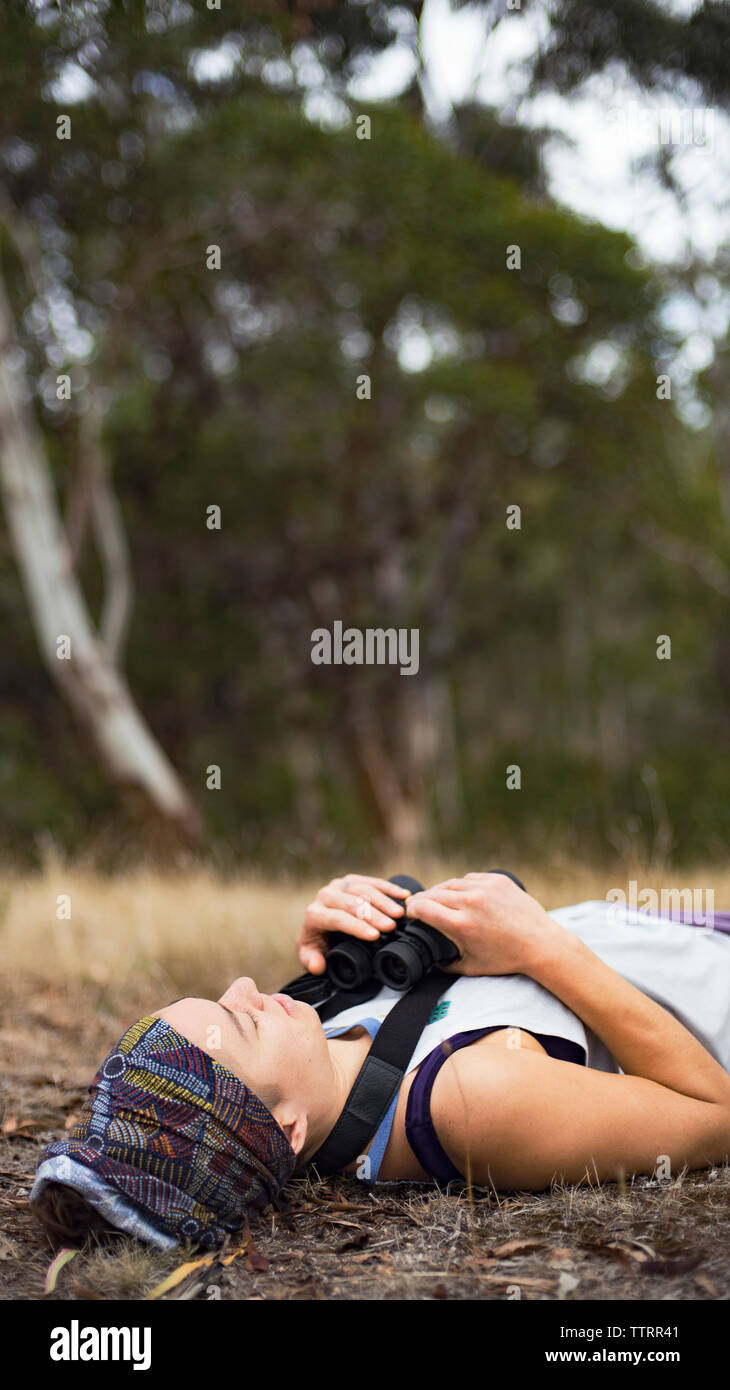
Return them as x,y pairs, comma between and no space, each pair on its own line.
183,1140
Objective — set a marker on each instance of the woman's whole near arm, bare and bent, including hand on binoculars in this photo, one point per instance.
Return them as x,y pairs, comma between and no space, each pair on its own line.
529,1118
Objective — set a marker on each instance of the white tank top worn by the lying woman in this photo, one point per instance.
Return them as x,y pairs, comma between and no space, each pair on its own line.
686,970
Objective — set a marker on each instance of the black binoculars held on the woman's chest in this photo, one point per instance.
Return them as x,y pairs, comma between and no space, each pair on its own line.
400,958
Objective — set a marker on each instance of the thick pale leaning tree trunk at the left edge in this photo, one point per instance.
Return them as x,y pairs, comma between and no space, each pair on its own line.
95,690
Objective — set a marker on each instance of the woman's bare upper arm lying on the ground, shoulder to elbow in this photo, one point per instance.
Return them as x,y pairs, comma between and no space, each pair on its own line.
521,1120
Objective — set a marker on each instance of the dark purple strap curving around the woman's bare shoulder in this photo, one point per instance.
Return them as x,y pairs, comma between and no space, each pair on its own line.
421,1132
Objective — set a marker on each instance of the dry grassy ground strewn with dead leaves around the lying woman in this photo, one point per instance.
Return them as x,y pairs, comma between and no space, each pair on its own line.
70,986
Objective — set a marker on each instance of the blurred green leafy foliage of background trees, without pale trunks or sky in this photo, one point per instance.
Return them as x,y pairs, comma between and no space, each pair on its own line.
237,389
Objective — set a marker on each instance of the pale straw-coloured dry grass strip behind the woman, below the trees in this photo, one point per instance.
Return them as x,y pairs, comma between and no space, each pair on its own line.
198,931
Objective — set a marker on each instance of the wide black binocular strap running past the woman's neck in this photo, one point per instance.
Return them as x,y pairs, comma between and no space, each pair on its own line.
380,1075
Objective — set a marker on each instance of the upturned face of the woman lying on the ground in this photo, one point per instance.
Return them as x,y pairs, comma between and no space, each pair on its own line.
273,1043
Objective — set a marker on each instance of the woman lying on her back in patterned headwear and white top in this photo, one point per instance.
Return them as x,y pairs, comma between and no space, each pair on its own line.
589,1042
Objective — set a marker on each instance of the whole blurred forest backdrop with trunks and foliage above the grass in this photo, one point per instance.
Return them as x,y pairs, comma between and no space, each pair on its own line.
237,389
